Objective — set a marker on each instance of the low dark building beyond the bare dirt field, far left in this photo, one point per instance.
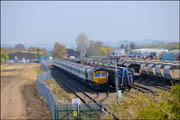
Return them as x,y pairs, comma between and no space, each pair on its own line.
22,56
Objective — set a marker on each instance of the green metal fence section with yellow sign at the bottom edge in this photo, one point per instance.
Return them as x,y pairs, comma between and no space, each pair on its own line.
75,111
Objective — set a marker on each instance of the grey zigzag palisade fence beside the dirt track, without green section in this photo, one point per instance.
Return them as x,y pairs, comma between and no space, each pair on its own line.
44,91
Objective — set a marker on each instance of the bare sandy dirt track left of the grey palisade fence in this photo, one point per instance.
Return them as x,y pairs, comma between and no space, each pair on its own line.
14,80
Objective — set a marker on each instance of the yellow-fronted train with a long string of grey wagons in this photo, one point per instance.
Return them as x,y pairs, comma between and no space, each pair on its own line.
95,77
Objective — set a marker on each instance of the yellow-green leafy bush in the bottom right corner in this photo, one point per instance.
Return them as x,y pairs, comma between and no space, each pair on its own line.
166,107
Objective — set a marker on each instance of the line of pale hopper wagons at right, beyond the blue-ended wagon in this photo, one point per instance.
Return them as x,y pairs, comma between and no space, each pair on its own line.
153,69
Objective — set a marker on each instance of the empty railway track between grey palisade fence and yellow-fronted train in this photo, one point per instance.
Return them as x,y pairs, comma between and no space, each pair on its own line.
65,80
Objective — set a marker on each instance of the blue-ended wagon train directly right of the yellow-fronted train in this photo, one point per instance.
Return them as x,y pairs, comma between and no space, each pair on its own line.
125,75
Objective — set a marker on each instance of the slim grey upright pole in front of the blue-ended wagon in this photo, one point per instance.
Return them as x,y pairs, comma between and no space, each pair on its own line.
116,83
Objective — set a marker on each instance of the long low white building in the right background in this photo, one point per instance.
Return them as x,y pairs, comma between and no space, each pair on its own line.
146,52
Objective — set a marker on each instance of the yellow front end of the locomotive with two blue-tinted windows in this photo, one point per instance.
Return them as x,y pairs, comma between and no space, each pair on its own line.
100,77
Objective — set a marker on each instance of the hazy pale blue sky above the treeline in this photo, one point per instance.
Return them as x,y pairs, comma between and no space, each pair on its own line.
43,23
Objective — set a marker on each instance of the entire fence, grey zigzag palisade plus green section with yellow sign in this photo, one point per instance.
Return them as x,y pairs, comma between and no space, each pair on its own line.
64,111
